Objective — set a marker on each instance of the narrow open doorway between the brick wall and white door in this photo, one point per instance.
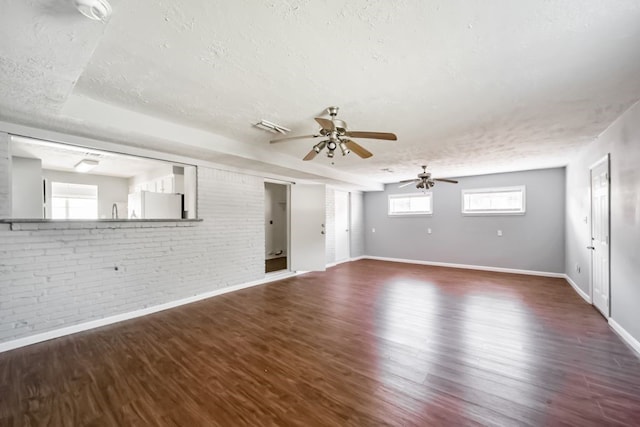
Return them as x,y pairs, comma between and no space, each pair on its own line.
275,227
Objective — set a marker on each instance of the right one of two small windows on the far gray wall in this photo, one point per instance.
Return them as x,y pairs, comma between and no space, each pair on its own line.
494,201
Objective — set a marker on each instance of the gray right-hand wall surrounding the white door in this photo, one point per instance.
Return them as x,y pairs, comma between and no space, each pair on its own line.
622,141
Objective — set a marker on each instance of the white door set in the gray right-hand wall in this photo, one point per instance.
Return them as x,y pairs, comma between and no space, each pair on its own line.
600,235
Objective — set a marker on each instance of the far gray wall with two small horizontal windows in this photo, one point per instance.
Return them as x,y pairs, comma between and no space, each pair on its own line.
534,241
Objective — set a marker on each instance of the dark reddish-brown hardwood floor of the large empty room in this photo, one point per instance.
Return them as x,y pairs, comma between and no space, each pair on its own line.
366,343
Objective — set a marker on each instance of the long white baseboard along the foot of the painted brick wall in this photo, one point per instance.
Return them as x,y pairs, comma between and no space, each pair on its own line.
56,333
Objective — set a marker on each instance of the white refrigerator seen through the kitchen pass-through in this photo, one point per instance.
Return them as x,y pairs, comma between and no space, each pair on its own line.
152,205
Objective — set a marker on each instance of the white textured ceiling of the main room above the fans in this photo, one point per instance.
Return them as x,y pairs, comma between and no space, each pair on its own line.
469,87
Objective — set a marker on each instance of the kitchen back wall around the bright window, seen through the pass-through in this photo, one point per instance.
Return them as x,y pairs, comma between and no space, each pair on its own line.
110,190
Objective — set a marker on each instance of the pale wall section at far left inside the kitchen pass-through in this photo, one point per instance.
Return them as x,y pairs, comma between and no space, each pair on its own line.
26,184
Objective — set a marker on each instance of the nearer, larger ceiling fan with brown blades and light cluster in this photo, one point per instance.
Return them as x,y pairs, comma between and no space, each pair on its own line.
338,136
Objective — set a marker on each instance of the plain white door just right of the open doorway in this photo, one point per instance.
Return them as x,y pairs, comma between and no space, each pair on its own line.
308,227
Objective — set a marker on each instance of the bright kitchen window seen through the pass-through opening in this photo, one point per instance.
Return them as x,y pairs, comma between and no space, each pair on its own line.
74,201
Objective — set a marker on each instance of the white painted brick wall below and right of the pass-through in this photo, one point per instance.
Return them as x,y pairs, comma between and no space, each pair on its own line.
58,275
